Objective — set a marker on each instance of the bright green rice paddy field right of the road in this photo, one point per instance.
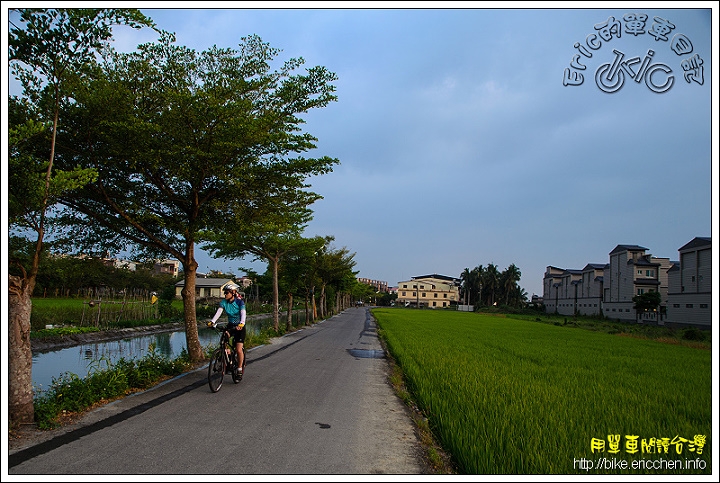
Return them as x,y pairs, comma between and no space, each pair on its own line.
509,396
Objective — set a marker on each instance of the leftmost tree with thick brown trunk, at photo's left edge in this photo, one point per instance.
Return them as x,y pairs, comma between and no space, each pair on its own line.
49,49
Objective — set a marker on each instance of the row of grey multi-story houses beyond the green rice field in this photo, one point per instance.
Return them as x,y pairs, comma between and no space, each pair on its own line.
685,286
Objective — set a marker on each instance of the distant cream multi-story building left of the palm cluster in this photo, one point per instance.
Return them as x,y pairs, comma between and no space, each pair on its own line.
434,291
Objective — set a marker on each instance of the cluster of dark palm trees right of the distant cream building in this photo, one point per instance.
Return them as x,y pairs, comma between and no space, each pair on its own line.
488,286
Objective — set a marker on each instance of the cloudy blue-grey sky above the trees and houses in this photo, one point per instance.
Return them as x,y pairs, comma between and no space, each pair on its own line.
460,144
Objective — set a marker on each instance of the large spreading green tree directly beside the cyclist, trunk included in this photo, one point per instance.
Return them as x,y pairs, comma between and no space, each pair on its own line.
191,141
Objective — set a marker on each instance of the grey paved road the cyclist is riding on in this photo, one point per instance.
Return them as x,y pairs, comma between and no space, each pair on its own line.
315,401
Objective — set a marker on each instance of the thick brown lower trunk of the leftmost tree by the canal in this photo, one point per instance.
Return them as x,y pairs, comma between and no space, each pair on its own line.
20,391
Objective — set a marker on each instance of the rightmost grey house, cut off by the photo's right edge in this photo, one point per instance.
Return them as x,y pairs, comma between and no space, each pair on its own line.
689,292
